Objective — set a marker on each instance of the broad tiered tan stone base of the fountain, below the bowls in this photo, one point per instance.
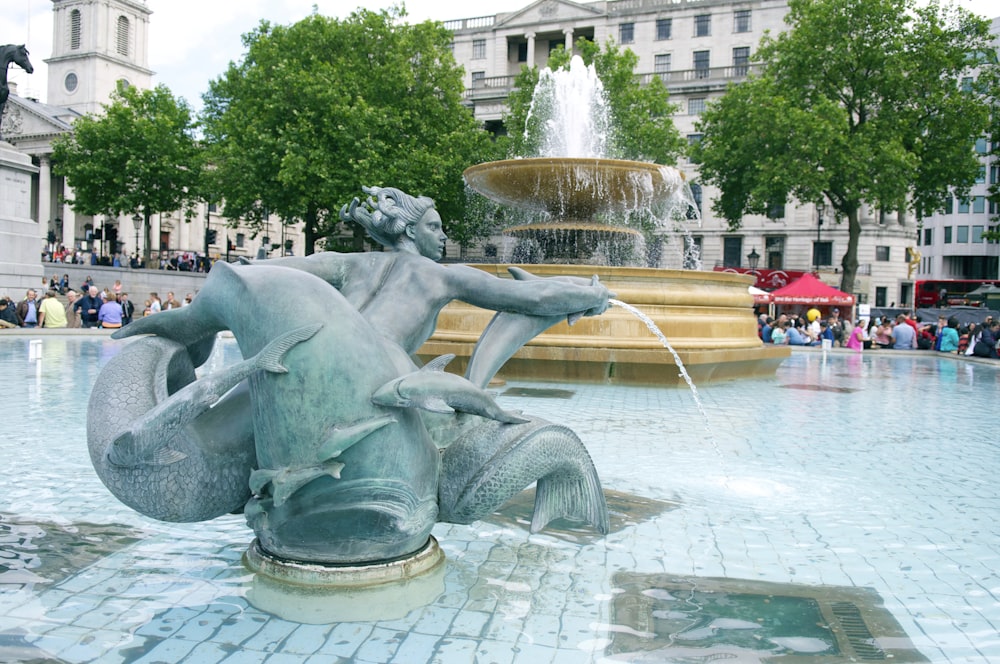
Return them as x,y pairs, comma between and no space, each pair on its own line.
707,317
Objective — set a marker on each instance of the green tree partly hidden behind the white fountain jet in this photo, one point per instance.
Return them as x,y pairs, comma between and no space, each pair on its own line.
641,123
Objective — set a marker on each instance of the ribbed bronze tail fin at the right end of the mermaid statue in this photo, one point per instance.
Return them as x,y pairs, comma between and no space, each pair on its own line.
577,497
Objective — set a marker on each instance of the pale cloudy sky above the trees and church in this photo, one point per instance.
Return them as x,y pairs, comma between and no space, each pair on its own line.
193,41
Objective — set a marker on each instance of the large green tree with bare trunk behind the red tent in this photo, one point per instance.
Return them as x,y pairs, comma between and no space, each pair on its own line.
860,101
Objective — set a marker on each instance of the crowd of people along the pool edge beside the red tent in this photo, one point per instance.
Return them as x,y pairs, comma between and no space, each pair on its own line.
904,332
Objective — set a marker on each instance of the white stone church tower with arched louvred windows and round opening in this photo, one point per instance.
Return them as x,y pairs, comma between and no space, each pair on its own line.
97,45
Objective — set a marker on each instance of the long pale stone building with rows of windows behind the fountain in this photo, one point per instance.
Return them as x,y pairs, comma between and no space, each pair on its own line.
697,47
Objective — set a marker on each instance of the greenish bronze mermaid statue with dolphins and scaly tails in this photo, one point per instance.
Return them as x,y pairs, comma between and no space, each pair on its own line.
335,444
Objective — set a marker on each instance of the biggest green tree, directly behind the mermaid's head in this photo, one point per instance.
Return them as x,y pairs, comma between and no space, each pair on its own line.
317,109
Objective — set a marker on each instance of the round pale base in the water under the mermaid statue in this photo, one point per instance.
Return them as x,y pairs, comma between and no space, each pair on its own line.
317,594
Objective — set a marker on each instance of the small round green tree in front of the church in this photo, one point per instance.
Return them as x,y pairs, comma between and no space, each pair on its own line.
140,156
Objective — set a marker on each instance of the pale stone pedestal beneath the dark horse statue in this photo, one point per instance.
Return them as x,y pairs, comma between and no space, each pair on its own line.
20,239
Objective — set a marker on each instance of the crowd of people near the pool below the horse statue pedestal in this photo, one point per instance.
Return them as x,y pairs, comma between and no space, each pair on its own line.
85,307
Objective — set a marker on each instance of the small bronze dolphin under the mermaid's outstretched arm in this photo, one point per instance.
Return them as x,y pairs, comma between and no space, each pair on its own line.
432,389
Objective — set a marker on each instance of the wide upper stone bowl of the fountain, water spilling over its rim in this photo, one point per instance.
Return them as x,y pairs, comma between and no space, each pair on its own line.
575,188
